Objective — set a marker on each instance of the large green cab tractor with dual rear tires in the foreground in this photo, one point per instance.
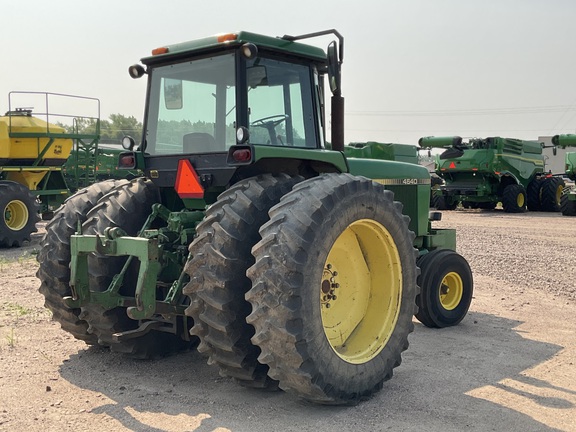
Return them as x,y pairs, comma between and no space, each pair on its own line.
286,262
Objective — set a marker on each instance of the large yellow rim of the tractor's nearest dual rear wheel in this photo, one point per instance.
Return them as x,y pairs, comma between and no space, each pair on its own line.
361,291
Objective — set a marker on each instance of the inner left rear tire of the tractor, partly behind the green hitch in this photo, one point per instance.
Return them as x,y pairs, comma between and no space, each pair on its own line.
126,207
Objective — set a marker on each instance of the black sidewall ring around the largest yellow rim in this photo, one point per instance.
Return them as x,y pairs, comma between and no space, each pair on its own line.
350,209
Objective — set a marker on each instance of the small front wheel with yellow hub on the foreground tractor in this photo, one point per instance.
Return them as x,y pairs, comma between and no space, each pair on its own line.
446,288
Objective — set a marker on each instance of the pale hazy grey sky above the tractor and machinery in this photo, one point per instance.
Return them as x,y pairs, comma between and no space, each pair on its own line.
411,67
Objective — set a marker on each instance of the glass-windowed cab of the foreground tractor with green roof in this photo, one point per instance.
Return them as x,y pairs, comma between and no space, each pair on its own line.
220,100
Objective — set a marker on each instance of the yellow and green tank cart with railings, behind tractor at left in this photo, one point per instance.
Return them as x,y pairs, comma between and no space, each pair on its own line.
42,163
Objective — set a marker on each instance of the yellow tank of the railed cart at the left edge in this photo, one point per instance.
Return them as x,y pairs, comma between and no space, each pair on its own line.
29,148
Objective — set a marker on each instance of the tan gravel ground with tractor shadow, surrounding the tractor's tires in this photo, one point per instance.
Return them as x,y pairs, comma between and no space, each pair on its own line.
510,365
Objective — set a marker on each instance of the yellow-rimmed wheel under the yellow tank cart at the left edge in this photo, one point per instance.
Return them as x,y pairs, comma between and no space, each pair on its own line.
19,214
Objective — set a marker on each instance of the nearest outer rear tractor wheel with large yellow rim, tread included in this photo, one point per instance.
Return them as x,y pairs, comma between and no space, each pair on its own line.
333,289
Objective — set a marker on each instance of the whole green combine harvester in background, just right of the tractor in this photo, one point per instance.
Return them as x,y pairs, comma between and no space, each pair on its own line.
481,172
